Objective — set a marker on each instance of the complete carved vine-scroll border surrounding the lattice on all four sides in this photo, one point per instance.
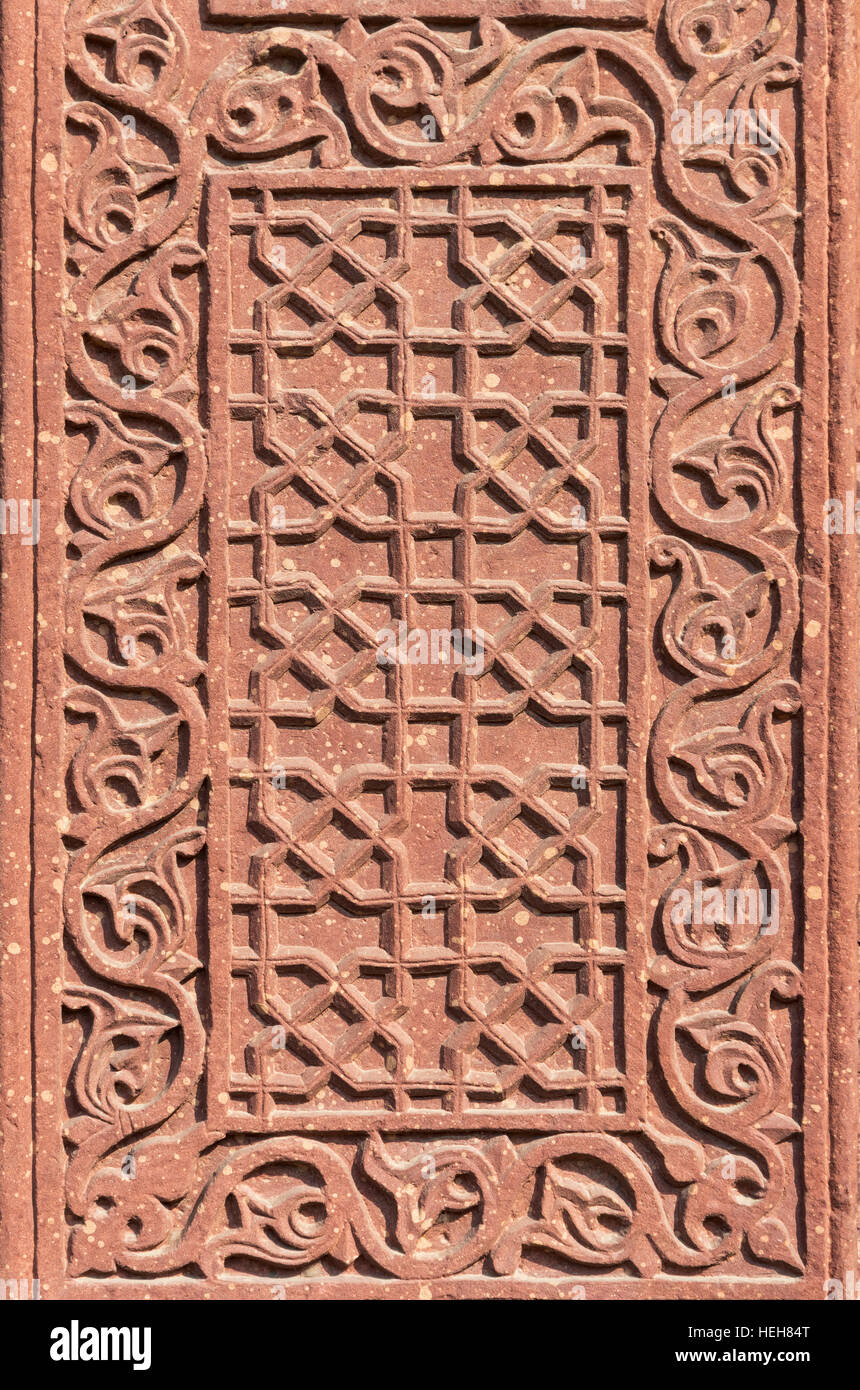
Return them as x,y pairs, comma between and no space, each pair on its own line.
154,1191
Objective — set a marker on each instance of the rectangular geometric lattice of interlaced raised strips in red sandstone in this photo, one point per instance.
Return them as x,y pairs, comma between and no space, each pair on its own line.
427,426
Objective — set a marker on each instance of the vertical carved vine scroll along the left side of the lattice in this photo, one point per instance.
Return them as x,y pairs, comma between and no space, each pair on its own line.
140,487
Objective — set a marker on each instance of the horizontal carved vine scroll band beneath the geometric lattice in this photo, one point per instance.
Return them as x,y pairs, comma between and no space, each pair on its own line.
297,1202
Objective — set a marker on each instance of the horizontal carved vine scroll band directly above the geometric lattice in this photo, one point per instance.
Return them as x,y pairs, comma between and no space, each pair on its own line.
415,77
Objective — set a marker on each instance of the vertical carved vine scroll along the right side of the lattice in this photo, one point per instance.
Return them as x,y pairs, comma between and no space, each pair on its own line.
722,783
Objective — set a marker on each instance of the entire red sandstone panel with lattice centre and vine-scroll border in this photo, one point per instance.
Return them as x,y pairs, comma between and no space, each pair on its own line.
434,864
